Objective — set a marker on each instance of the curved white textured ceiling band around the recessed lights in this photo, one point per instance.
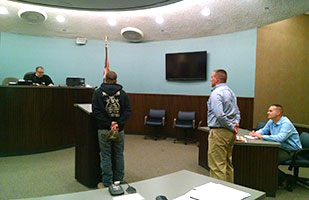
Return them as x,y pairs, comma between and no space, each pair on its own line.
182,19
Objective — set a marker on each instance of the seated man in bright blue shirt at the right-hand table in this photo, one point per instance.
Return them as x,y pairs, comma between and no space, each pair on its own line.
281,130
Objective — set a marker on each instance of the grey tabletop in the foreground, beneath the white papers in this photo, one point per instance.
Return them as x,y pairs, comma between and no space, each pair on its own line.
171,185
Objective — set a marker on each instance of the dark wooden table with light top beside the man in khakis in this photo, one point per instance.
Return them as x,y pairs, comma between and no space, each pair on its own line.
255,162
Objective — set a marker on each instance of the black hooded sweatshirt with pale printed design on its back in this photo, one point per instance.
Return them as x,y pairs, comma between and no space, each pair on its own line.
110,103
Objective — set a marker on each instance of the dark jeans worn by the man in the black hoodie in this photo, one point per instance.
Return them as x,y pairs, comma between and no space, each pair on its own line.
112,160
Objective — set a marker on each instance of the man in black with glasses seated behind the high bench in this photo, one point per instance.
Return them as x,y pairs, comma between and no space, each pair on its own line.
39,78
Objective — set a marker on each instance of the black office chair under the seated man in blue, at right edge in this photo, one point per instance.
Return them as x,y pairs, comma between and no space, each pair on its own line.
300,159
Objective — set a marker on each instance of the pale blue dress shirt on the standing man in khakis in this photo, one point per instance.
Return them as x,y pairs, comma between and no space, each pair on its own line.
222,108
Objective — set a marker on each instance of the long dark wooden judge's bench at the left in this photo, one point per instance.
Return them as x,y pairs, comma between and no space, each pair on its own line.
37,119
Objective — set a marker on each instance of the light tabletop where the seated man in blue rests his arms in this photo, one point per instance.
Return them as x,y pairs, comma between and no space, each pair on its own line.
253,142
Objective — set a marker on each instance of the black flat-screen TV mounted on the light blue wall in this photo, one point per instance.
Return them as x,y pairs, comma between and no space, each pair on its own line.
186,66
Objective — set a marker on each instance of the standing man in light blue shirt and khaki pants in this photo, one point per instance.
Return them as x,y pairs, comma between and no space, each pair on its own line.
223,118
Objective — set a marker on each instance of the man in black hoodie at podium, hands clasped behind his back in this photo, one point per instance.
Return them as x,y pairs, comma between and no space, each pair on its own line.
111,108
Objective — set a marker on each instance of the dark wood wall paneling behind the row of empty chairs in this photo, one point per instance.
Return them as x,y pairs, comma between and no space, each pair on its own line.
141,103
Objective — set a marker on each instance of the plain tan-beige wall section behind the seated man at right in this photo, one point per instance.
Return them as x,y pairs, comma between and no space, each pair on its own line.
282,69
